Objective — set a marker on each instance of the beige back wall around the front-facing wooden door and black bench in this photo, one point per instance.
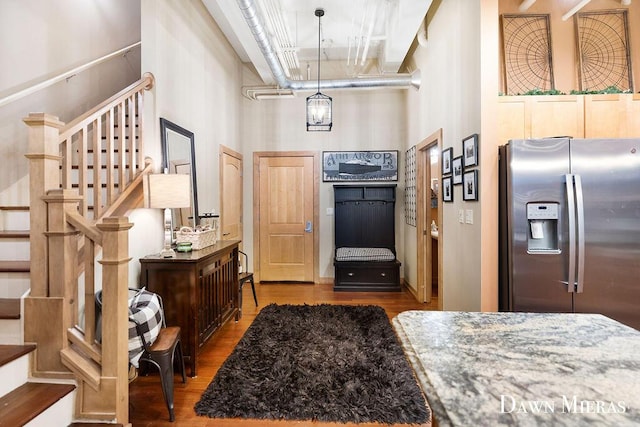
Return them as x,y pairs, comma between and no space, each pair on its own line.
362,120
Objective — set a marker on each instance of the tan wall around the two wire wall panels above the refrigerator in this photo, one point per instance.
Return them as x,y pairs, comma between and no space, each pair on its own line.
563,40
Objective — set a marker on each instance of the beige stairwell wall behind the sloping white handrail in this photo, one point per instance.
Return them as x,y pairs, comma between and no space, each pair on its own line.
40,40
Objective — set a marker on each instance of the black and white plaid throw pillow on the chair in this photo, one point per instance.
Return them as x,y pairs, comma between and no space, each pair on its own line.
146,310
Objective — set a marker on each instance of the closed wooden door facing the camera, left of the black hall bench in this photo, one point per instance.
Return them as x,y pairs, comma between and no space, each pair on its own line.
286,218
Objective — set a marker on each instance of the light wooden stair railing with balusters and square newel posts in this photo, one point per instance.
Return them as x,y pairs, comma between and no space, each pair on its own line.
82,176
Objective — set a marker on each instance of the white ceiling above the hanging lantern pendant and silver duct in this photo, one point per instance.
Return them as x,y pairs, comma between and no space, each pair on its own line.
380,30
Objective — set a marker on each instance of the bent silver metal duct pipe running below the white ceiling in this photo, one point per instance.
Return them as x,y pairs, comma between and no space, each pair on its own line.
254,20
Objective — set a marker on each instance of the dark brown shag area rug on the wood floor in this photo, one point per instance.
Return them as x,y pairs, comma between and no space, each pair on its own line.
317,362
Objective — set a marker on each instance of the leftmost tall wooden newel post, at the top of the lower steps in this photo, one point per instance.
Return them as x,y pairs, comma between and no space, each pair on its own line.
44,174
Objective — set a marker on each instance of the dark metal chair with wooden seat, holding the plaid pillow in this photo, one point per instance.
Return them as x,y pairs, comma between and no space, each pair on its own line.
162,355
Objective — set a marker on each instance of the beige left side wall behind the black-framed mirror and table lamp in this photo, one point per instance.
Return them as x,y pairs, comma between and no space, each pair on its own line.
198,80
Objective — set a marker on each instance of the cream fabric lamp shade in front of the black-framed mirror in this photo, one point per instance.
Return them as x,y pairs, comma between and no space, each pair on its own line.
163,191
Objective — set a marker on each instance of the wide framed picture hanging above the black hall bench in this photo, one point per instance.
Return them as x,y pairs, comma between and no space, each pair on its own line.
360,165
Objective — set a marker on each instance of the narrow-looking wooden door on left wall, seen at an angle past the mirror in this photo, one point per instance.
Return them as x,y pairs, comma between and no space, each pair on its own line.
231,198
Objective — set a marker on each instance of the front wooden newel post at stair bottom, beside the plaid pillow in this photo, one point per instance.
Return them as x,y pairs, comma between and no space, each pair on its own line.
115,324
